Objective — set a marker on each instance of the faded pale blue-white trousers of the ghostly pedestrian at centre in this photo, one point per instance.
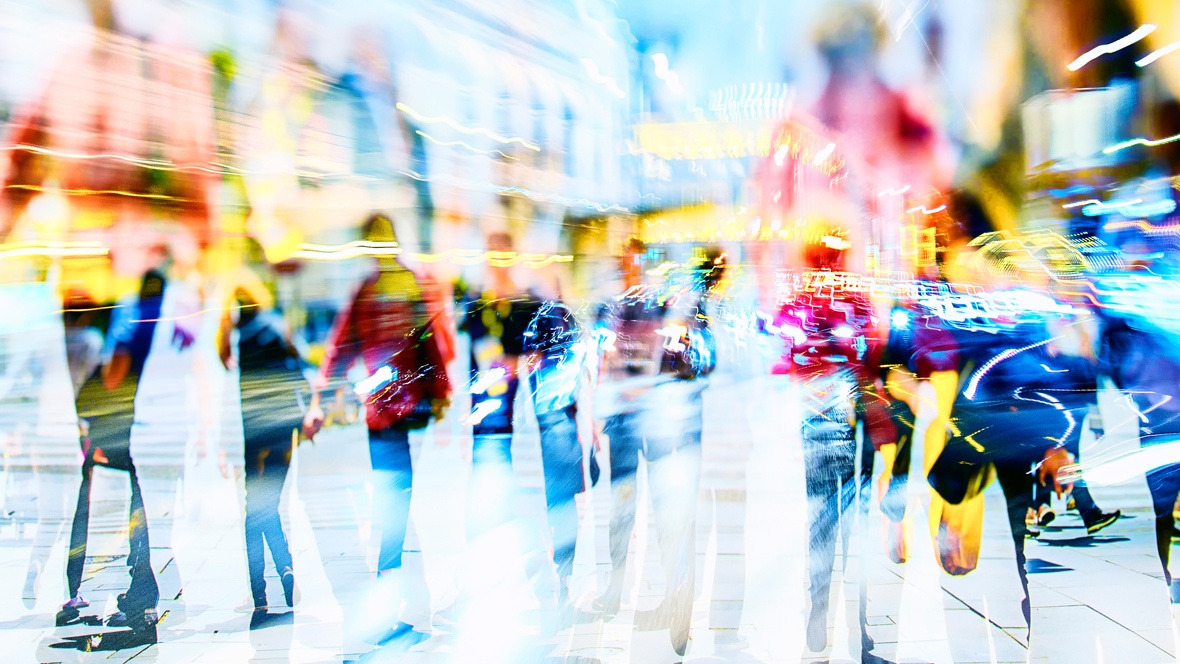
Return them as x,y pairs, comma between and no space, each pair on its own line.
674,478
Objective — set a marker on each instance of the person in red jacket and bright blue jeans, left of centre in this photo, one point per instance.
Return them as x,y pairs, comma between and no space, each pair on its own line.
389,327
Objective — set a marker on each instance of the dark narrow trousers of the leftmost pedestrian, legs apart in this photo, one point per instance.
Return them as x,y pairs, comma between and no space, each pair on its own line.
143,593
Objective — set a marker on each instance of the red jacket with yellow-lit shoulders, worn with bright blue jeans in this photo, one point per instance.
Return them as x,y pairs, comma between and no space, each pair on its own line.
390,324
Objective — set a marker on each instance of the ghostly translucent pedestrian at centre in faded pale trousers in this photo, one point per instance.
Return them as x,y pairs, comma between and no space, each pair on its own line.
657,352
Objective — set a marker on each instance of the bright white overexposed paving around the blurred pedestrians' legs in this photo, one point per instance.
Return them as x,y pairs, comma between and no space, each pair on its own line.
1094,599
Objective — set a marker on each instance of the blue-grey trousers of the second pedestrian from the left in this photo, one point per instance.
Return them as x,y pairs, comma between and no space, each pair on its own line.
267,463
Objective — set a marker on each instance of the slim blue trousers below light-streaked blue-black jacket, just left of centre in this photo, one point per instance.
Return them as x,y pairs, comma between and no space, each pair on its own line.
561,456
